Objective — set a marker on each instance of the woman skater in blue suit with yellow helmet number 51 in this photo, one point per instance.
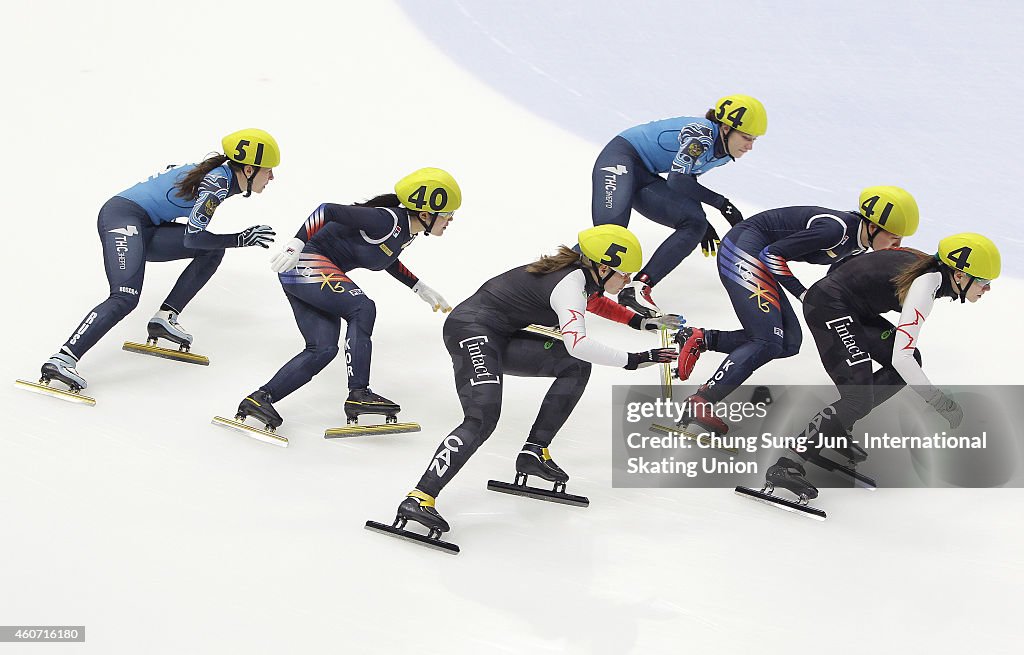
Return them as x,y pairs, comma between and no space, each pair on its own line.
138,227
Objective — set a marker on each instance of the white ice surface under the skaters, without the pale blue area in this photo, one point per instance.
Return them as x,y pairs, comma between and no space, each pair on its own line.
162,534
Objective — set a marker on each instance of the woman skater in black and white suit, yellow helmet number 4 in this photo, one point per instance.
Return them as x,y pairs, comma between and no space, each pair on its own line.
844,315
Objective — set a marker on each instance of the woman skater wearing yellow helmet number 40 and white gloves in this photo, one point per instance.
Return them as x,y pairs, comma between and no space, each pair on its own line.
315,270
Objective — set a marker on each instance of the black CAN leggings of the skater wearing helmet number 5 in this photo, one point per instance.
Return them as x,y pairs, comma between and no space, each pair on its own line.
481,358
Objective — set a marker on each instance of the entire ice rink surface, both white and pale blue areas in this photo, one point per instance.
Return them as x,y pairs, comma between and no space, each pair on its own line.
162,534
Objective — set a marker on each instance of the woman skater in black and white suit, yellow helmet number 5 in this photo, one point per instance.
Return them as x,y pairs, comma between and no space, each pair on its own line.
484,338
